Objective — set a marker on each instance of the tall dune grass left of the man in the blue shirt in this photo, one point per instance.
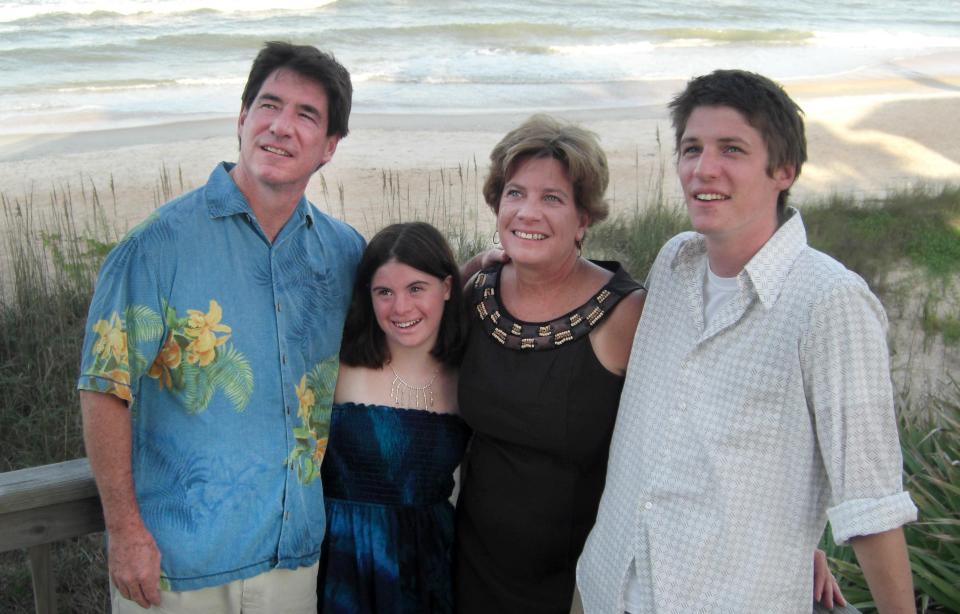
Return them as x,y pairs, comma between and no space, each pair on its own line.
47,268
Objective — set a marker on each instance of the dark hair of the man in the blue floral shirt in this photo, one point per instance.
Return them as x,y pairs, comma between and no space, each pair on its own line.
310,63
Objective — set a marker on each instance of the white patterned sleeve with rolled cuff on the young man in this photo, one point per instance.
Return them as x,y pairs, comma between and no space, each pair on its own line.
847,379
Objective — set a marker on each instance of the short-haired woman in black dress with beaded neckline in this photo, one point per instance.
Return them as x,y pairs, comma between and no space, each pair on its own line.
540,383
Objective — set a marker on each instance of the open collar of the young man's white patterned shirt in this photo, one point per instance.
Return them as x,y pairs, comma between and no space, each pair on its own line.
769,267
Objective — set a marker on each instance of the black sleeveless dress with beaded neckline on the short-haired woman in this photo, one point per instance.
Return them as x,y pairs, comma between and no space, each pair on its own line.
542,409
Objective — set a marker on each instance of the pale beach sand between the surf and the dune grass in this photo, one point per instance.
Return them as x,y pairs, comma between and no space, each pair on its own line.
866,136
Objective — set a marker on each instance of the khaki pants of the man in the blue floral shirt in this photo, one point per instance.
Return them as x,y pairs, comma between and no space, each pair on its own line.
278,591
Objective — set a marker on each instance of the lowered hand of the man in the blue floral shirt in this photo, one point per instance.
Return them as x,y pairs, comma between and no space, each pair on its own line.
133,561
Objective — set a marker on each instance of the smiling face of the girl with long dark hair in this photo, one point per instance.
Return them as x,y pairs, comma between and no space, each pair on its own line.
408,304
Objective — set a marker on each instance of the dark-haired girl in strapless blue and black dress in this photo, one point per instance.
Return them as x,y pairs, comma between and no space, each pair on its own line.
395,438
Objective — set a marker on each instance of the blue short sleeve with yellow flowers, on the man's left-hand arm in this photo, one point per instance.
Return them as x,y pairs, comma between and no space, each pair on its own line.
125,325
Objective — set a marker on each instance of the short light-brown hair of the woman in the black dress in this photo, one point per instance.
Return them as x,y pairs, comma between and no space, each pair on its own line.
577,149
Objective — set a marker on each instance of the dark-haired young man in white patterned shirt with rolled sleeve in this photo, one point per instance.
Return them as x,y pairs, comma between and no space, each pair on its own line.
757,401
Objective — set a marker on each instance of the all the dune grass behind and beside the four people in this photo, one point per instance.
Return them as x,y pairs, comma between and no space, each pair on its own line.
48,265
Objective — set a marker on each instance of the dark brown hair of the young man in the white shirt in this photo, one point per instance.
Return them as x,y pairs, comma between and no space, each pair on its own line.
762,103
